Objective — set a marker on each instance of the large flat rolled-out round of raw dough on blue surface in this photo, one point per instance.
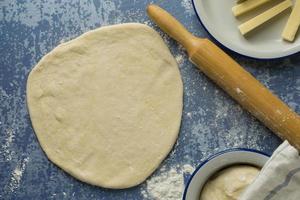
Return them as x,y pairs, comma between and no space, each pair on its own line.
106,107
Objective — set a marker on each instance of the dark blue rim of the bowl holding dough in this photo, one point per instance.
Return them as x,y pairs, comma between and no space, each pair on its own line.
202,164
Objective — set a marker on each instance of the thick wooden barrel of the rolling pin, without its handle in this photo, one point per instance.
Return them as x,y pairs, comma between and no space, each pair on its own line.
248,91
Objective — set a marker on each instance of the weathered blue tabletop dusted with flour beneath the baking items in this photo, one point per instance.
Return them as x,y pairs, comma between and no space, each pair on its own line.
211,120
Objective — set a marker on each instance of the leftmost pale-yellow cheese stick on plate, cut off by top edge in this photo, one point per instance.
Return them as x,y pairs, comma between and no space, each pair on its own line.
247,6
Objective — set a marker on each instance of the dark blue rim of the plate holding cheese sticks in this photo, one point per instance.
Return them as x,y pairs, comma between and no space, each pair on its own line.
223,46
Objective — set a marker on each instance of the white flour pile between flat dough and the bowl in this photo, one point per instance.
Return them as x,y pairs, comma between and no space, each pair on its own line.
168,185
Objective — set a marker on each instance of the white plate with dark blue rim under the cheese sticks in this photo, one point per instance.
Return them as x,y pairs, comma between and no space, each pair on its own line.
263,43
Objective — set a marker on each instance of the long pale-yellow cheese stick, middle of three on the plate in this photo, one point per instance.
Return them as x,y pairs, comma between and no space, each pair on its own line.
264,17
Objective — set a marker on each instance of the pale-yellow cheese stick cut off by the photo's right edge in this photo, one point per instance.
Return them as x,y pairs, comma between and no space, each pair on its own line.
293,23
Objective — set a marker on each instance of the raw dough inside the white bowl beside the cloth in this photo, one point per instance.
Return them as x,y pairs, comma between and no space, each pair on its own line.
229,183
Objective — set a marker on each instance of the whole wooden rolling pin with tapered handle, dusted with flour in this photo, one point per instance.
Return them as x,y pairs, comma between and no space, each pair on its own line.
232,78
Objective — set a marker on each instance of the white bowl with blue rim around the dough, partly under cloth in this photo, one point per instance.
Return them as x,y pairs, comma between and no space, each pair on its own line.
217,162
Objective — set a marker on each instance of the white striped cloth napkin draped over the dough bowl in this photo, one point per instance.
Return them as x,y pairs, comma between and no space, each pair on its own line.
279,179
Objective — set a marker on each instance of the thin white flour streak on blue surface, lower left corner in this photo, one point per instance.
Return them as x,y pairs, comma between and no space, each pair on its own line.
17,174
